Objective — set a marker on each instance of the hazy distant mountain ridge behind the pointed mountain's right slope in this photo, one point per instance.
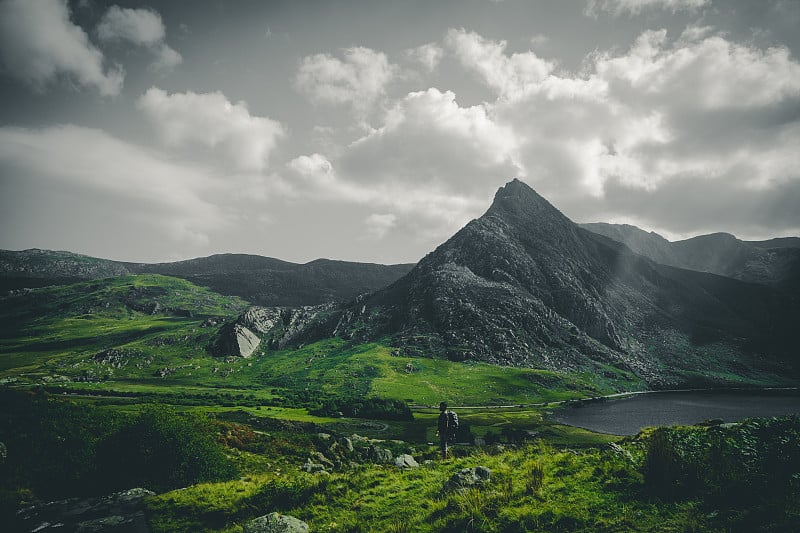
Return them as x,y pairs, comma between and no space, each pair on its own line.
774,262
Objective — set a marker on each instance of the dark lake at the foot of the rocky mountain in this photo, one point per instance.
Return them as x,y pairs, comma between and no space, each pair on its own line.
626,416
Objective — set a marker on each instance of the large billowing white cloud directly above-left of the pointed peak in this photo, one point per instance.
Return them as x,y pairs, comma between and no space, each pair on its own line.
433,164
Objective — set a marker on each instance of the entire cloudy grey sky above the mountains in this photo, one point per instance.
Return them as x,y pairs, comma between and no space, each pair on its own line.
373,130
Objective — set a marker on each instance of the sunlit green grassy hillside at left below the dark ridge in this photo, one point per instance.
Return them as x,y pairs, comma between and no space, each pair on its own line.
86,330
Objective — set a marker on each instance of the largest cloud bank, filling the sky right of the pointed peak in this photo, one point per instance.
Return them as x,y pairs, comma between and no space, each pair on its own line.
699,110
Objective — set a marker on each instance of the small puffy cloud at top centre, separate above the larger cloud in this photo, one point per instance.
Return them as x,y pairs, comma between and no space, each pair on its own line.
359,79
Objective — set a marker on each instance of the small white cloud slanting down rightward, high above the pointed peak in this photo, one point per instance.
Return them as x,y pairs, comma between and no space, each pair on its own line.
511,76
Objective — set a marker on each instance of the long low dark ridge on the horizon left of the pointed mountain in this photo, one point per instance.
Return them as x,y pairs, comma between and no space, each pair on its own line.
261,280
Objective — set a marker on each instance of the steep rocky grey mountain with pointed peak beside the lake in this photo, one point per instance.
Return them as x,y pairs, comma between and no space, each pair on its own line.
525,286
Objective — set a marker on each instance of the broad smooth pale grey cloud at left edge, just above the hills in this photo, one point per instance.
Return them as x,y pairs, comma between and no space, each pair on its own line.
109,191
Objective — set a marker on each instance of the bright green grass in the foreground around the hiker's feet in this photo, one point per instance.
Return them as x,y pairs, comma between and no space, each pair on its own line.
588,490
